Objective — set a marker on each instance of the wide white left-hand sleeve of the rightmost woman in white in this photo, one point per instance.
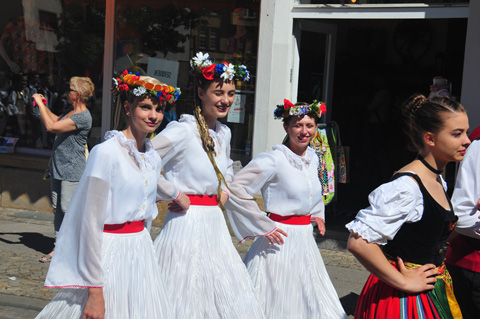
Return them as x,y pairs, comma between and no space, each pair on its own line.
246,218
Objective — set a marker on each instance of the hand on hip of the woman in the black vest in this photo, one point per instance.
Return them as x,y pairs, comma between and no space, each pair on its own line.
418,279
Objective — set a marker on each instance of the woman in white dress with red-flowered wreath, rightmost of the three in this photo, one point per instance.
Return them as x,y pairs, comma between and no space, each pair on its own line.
284,262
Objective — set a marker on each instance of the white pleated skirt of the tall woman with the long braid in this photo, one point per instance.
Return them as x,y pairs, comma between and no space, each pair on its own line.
204,275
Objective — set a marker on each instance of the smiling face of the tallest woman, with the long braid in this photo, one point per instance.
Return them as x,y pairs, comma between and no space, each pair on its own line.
217,99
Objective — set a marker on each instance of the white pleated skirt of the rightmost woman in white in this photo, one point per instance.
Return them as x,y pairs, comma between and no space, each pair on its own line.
291,280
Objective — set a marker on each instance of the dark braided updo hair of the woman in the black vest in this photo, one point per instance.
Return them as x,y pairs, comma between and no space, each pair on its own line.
427,115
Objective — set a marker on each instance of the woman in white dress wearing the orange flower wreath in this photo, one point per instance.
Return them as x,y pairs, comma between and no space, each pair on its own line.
104,260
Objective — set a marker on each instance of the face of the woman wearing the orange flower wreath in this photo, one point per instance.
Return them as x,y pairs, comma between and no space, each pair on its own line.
146,115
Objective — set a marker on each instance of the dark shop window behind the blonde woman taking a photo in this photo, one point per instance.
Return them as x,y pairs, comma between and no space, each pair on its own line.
42,45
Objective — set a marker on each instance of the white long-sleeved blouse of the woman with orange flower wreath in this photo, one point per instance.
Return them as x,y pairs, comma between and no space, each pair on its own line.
119,184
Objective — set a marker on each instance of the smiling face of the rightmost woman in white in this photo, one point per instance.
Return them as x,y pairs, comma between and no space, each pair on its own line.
300,130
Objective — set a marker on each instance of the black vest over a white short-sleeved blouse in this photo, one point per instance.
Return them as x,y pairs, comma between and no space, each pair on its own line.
423,241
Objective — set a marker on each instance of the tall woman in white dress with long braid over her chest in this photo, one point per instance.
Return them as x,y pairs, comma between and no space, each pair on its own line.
203,273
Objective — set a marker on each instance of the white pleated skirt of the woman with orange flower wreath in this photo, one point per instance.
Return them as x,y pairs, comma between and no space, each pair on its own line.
132,288
